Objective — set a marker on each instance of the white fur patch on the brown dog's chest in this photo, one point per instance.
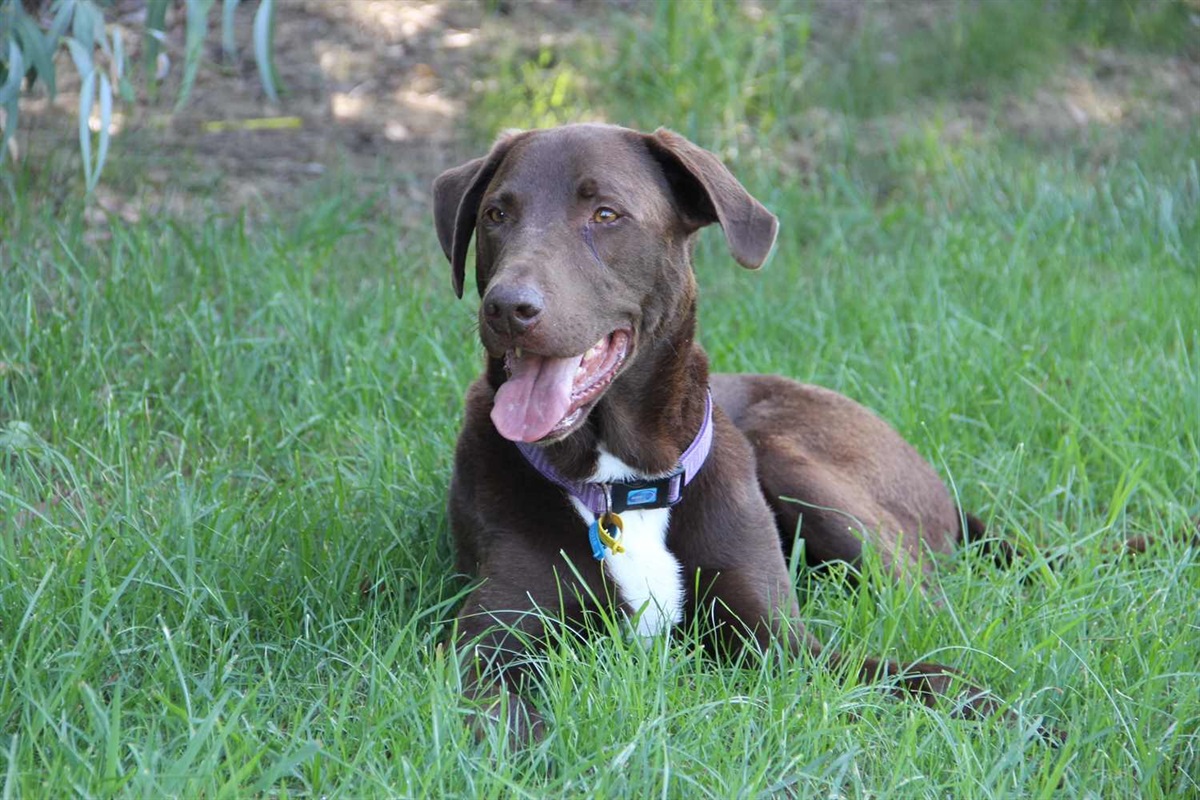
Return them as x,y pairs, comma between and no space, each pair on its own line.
647,575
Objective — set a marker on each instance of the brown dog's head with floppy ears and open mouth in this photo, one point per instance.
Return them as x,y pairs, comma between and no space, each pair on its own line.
583,250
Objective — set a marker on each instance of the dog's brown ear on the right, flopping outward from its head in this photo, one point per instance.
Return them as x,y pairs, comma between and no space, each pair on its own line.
709,193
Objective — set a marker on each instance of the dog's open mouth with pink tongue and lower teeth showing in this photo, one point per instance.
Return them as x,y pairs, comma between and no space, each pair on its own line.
545,396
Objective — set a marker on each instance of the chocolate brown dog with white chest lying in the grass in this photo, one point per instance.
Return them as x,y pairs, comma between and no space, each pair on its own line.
599,462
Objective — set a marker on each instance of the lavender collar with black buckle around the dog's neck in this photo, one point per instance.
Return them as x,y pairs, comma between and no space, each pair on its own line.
633,496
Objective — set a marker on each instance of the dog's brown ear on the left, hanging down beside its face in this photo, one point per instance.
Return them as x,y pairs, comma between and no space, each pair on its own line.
457,196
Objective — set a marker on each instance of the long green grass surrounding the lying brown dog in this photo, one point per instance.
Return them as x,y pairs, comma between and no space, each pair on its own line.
225,567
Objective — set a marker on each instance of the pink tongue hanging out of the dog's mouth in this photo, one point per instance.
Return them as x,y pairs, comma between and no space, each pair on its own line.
536,398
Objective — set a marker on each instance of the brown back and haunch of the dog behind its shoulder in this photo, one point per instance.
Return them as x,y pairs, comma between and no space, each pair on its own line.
838,476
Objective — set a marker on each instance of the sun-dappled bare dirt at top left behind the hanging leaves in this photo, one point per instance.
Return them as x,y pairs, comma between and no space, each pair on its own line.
375,89
